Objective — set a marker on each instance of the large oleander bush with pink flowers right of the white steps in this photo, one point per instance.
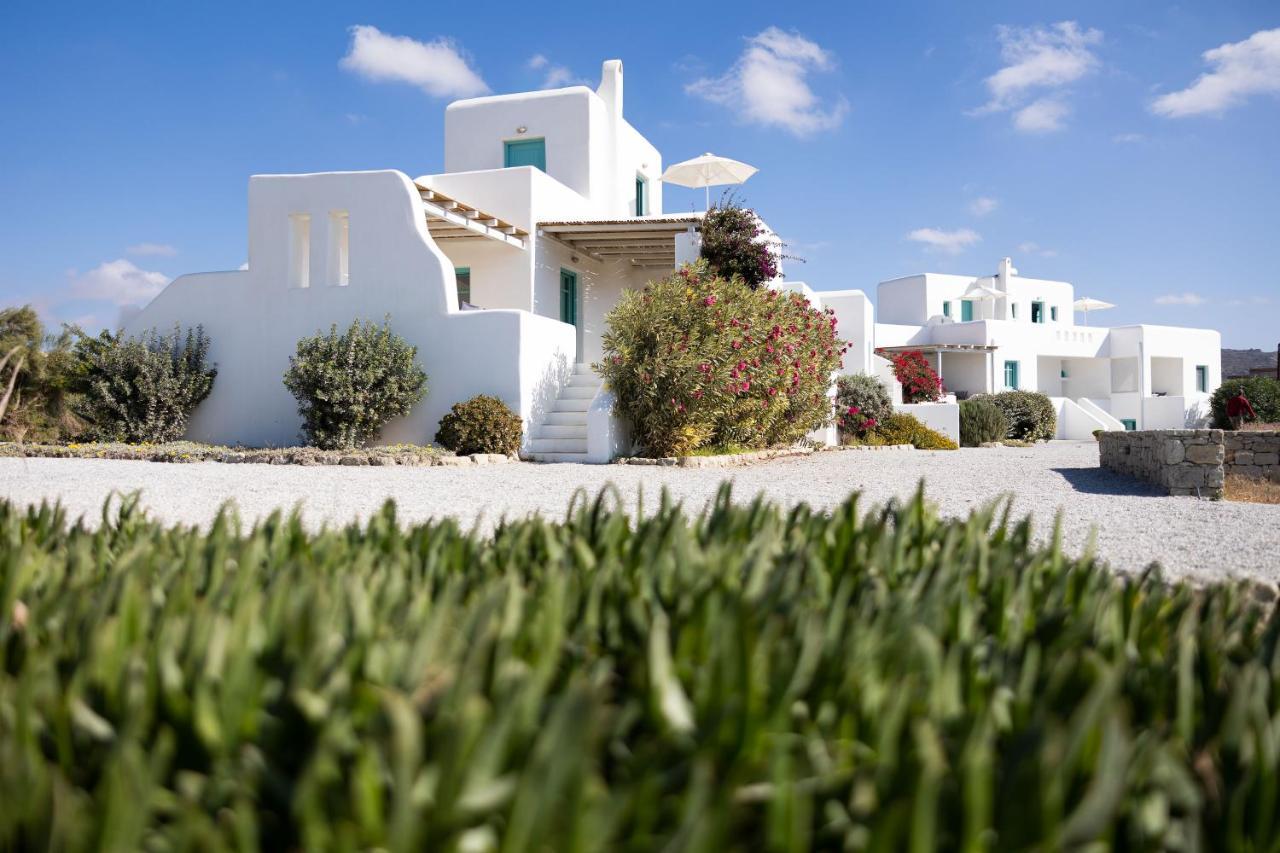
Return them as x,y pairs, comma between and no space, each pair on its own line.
700,361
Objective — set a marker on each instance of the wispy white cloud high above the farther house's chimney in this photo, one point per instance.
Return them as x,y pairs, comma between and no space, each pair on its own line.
1040,62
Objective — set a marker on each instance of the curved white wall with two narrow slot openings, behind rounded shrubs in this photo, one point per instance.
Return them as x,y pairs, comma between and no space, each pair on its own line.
255,320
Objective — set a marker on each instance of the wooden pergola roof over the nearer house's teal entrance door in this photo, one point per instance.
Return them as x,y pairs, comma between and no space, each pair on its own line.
644,241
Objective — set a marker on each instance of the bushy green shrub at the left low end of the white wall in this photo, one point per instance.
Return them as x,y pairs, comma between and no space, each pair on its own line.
140,390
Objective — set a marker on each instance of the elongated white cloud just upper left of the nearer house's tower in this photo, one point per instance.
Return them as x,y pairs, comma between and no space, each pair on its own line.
440,69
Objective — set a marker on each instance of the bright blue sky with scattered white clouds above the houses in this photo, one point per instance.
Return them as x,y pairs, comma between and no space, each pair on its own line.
1095,143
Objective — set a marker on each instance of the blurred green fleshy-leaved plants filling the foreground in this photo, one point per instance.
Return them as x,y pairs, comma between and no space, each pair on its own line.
753,678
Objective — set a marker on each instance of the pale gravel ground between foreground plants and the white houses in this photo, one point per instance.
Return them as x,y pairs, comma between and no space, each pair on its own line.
1133,524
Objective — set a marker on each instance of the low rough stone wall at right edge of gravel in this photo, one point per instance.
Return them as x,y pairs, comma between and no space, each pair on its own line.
1191,462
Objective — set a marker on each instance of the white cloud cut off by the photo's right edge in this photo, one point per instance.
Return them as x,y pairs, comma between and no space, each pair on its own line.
1242,69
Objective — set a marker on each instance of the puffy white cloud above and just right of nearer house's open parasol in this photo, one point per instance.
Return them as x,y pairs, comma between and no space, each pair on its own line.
769,85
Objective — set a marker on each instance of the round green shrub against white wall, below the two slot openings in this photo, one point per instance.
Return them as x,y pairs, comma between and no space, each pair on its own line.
350,386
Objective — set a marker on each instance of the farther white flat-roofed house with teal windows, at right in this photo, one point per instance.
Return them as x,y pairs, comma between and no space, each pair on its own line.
1004,332
